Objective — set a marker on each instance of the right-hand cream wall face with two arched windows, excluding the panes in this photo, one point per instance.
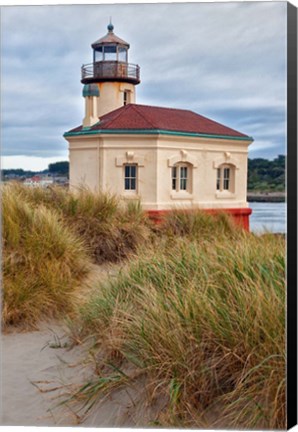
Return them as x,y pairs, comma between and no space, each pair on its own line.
204,156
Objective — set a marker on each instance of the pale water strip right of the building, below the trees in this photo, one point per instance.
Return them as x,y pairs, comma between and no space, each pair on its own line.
268,217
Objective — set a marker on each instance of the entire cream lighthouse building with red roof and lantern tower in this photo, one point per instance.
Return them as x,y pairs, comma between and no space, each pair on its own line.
166,158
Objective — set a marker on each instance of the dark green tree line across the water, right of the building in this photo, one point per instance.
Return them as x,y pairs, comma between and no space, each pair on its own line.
267,176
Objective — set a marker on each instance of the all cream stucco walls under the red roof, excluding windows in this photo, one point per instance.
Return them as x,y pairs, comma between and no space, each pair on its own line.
97,161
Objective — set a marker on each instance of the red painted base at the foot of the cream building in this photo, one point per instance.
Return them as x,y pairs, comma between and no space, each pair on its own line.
240,215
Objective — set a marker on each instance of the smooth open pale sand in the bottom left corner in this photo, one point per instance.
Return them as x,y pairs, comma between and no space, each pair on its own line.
32,363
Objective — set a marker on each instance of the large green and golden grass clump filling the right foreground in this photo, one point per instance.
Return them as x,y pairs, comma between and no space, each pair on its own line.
206,322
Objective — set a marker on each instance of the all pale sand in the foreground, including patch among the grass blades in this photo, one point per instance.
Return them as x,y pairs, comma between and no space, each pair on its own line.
38,368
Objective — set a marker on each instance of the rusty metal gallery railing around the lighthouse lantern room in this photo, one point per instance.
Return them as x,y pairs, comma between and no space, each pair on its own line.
110,70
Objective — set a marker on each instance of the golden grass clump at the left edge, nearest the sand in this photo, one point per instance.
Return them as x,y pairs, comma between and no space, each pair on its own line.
43,262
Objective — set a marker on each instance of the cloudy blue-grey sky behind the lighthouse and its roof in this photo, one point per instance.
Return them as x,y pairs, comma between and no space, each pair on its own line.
226,61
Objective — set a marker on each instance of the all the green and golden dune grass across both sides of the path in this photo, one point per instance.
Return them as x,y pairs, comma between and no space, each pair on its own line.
199,310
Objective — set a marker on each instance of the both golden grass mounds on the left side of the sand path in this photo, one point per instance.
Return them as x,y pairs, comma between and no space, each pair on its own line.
50,236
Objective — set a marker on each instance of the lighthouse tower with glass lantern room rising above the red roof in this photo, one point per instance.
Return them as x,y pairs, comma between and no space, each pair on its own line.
109,81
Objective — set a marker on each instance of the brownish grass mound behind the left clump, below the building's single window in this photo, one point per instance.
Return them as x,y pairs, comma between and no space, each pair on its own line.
110,228
